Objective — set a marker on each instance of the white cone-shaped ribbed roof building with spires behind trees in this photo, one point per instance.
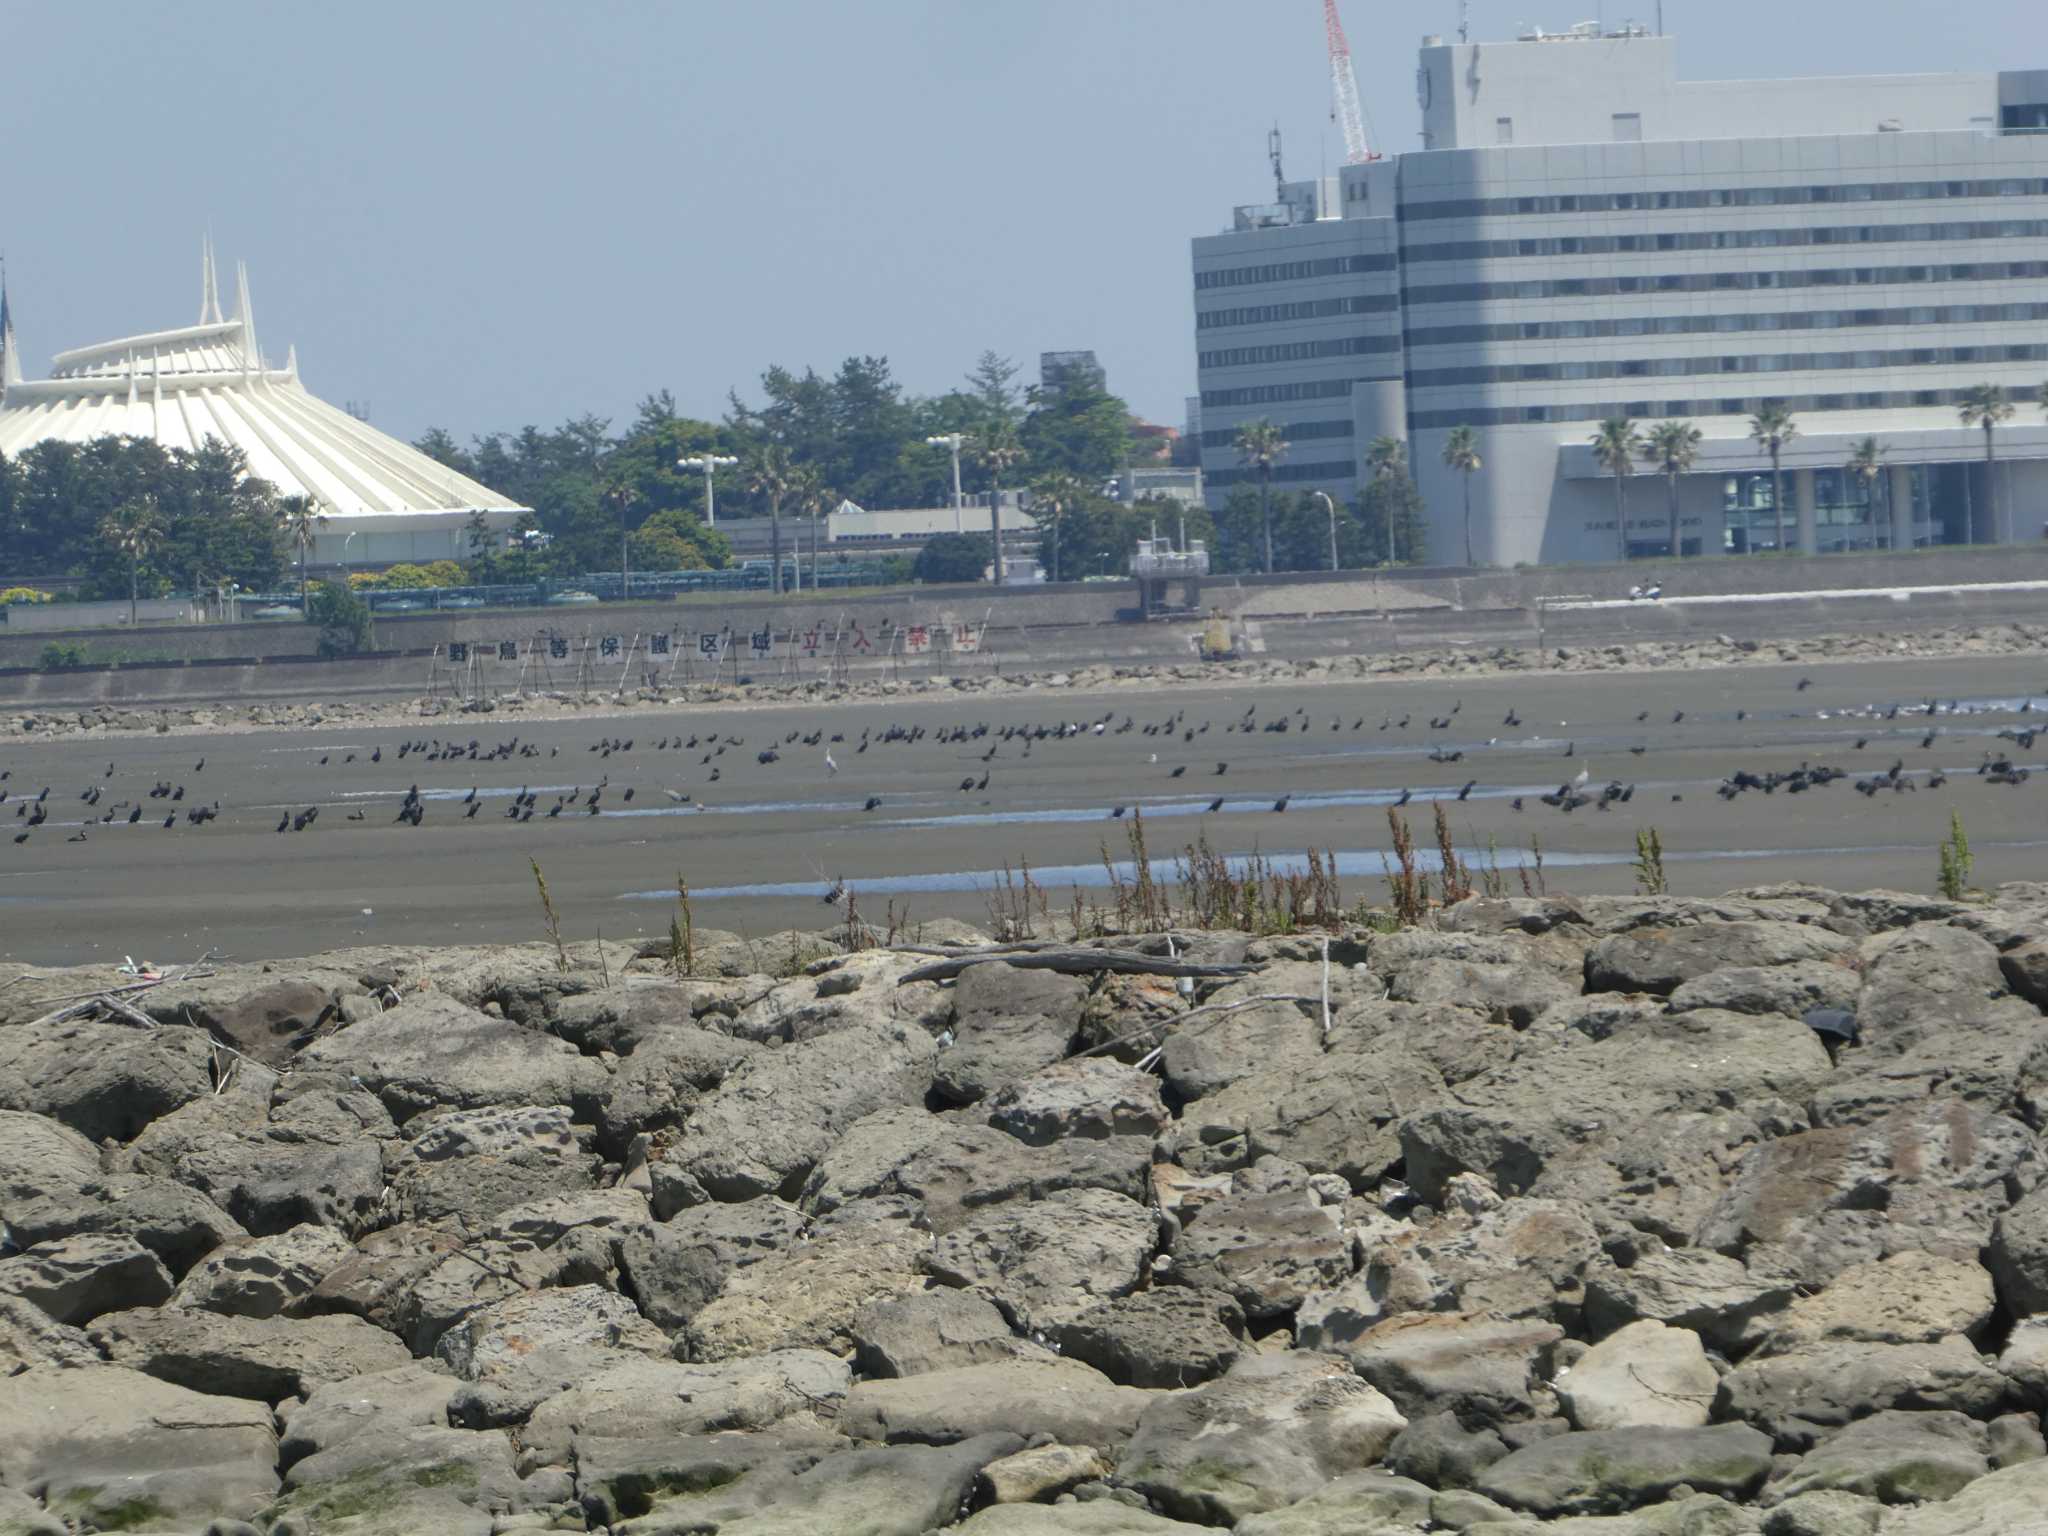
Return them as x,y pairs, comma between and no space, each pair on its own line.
382,499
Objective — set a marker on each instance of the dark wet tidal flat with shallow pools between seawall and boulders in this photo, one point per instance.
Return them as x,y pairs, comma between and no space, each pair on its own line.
763,843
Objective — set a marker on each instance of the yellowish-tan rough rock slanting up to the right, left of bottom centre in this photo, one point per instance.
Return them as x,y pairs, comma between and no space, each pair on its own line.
808,1295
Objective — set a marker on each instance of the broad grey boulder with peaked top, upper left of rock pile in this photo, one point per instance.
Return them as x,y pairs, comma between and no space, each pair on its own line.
433,1054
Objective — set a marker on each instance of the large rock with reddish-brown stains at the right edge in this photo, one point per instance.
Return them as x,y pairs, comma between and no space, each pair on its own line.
1932,1177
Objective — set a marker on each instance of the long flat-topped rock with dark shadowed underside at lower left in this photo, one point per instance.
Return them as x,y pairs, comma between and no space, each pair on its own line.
265,1359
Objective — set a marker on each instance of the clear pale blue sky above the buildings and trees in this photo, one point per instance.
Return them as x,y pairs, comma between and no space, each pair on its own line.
488,214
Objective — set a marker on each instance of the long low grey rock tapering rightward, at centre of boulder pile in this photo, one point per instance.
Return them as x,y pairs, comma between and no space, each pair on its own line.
957,1168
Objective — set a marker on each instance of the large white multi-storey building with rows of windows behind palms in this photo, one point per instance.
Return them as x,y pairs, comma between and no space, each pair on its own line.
1590,237
